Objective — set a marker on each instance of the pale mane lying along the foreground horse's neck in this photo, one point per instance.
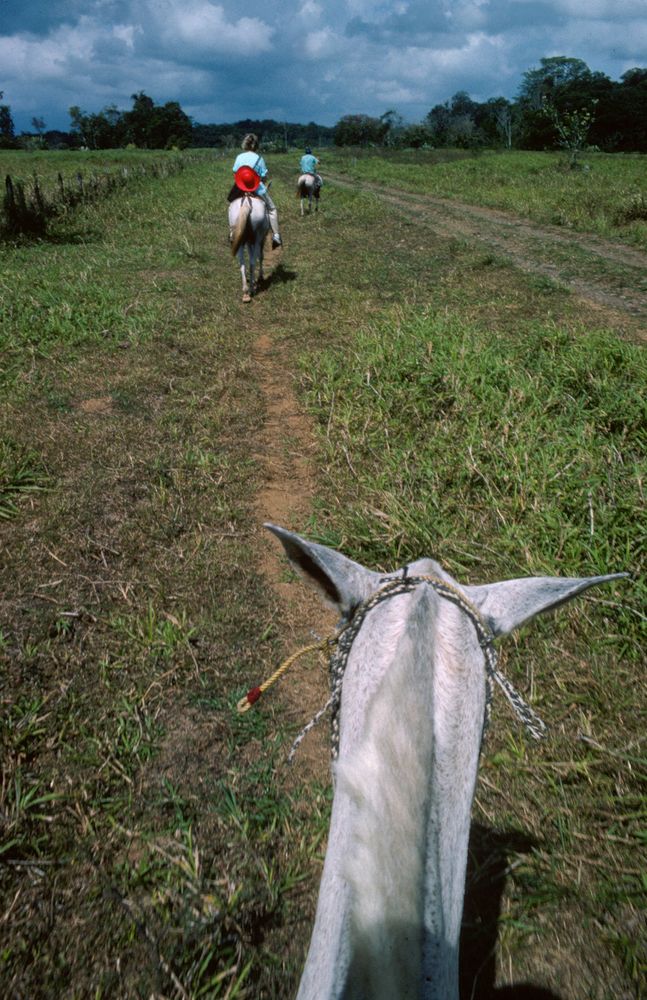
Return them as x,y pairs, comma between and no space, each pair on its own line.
385,867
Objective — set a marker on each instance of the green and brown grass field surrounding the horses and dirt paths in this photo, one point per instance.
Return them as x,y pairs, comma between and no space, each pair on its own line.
153,841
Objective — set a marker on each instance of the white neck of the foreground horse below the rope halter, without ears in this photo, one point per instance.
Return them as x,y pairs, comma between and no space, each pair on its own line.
390,905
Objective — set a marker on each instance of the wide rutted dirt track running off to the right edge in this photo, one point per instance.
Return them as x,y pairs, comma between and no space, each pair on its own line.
609,275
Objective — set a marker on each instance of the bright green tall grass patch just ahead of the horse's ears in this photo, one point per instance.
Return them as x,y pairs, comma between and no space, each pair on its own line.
524,455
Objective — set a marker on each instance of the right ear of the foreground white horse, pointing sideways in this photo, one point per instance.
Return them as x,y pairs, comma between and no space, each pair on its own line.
510,603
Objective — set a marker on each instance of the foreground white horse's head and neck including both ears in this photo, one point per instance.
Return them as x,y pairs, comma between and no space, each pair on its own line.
416,684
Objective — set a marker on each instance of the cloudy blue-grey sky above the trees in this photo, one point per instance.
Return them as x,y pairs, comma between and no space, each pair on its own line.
296,60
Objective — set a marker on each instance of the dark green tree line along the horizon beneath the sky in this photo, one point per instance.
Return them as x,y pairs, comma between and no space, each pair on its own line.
560,103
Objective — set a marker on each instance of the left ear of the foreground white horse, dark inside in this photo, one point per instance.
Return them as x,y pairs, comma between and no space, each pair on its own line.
341,582
